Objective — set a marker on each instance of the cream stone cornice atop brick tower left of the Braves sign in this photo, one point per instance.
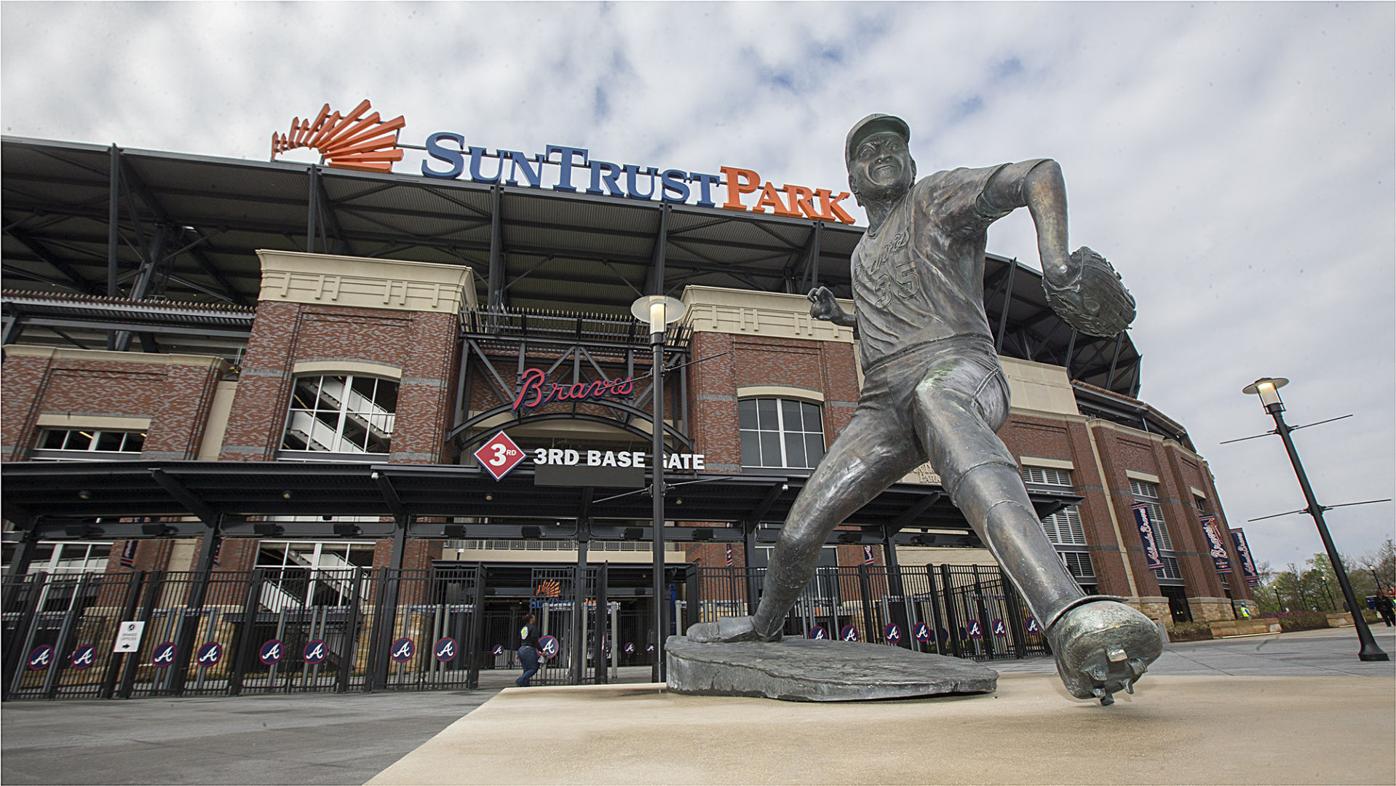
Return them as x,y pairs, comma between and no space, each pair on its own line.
399,286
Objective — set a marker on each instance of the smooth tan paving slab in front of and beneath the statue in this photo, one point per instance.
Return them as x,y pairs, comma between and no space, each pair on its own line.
1175,729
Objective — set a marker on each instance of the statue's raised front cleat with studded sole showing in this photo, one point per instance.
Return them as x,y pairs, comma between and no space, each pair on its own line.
1104,648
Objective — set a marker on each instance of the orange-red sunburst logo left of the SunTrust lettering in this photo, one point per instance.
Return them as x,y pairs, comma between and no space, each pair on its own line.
348,142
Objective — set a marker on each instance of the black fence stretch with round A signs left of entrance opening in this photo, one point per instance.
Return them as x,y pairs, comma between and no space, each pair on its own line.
253,633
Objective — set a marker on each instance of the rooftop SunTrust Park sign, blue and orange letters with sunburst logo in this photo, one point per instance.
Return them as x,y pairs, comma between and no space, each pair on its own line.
359,140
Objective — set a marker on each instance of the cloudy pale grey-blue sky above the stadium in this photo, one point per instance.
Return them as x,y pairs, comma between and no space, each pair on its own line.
1236,163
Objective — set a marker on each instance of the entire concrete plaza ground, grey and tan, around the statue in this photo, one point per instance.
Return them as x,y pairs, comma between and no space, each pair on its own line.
1295,709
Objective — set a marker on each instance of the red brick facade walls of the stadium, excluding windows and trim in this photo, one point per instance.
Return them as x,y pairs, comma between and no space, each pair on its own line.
422,348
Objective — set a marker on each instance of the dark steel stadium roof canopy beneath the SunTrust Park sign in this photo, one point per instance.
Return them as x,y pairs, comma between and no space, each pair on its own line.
174,227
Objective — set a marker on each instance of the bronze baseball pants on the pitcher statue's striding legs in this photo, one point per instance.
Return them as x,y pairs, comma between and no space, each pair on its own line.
940,403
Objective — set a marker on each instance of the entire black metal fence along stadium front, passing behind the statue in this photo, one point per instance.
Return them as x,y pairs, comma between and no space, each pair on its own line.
294,630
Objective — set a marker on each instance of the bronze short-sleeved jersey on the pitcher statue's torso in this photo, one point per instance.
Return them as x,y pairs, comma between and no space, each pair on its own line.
921,277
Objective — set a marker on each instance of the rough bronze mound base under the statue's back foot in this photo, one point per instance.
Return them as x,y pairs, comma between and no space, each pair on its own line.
801,669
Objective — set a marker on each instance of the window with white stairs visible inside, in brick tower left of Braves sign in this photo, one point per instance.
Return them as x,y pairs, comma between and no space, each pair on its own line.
341,414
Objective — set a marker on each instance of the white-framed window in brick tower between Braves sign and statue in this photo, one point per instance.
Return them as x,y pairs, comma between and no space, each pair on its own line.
781,433
